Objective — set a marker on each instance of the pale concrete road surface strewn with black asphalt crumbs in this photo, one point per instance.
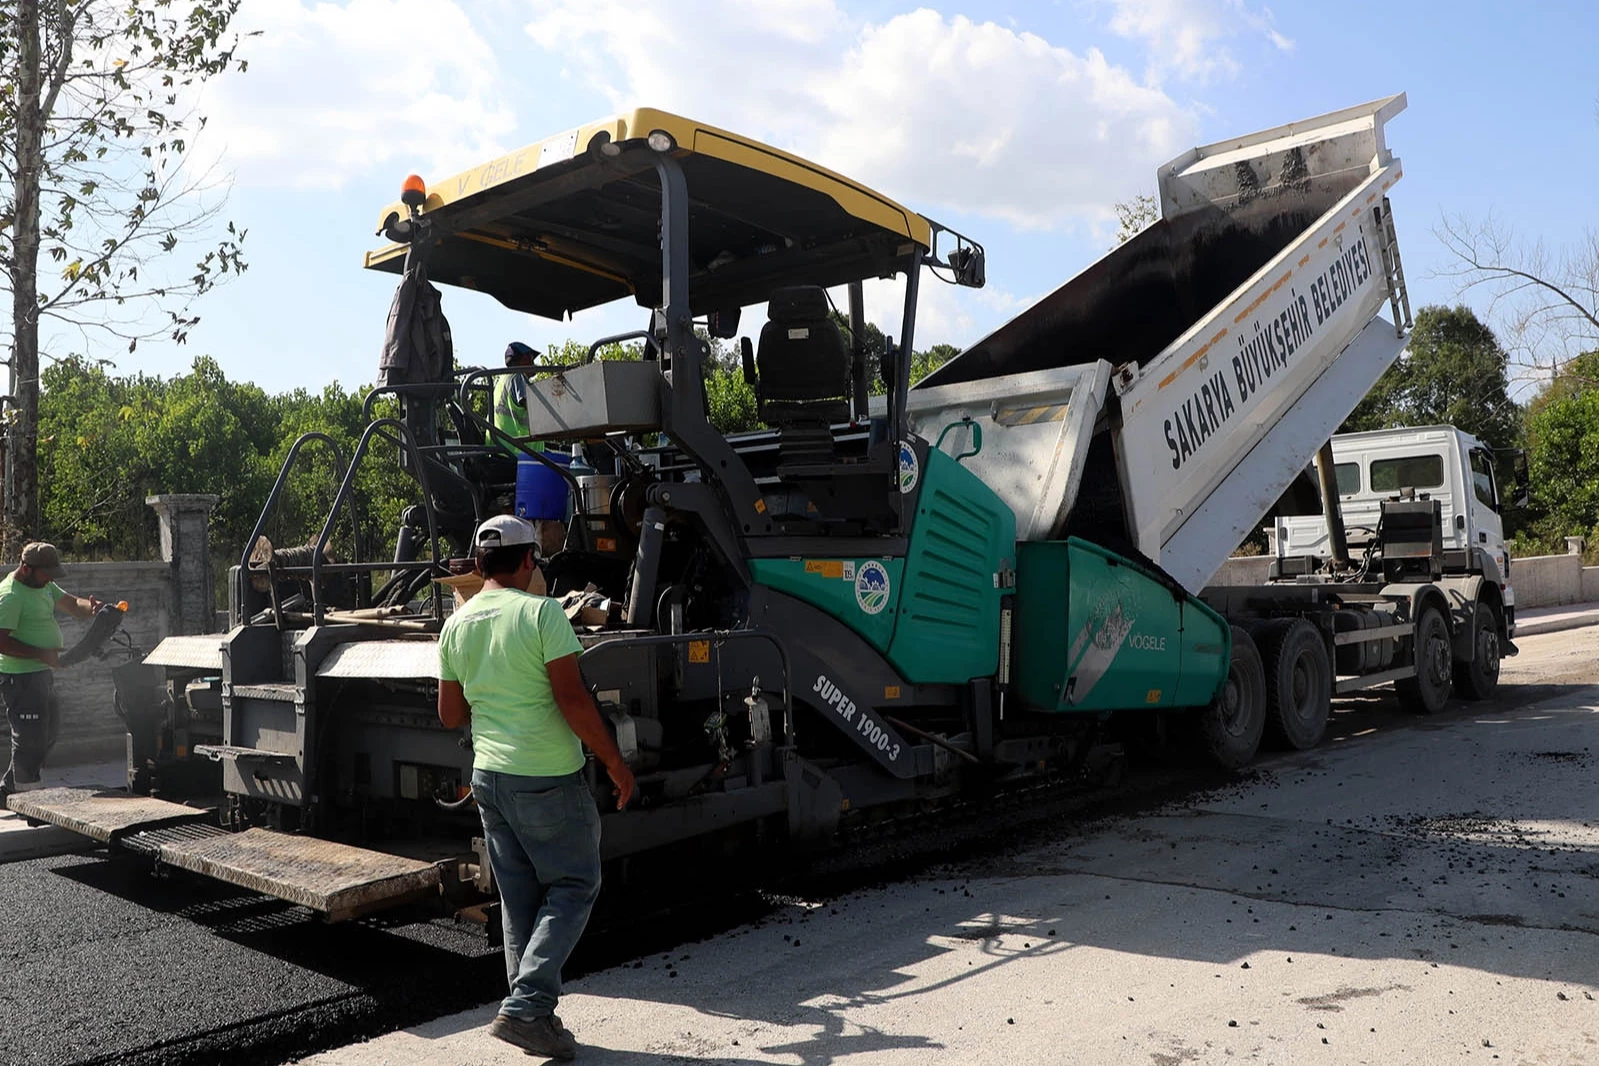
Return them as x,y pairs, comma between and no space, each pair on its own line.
1411,893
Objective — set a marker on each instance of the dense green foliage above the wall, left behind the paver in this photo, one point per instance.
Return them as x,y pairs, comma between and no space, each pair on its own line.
108,442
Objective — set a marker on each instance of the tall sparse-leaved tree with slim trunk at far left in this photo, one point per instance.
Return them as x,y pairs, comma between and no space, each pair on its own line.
95,135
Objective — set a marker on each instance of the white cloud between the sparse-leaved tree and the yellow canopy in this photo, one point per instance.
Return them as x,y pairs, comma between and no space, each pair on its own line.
337,92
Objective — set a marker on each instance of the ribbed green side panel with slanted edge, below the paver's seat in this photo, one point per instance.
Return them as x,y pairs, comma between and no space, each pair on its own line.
963,536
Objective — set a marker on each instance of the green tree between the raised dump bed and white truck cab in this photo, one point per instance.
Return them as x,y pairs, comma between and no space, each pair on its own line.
1451,375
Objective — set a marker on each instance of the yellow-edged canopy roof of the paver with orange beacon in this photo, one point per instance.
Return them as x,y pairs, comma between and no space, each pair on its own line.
573,221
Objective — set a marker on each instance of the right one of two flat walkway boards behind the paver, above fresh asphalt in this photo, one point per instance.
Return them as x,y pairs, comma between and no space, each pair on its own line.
337,880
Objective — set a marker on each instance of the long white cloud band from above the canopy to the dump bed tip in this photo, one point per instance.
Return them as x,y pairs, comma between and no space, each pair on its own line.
939,113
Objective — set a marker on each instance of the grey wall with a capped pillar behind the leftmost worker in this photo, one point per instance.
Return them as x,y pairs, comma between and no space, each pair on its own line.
165,599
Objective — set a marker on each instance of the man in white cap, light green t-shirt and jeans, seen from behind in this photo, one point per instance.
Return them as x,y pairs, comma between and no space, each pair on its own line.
508,667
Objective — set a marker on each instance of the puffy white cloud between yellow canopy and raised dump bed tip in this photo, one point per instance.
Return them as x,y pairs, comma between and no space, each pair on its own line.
975,116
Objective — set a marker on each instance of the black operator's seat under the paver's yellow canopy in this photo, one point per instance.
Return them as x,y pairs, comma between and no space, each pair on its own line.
803,362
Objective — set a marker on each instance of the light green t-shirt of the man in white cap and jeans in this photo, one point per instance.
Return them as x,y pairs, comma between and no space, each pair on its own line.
496,646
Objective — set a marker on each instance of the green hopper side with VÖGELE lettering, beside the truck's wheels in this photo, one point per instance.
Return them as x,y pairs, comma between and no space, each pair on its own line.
1096,632
